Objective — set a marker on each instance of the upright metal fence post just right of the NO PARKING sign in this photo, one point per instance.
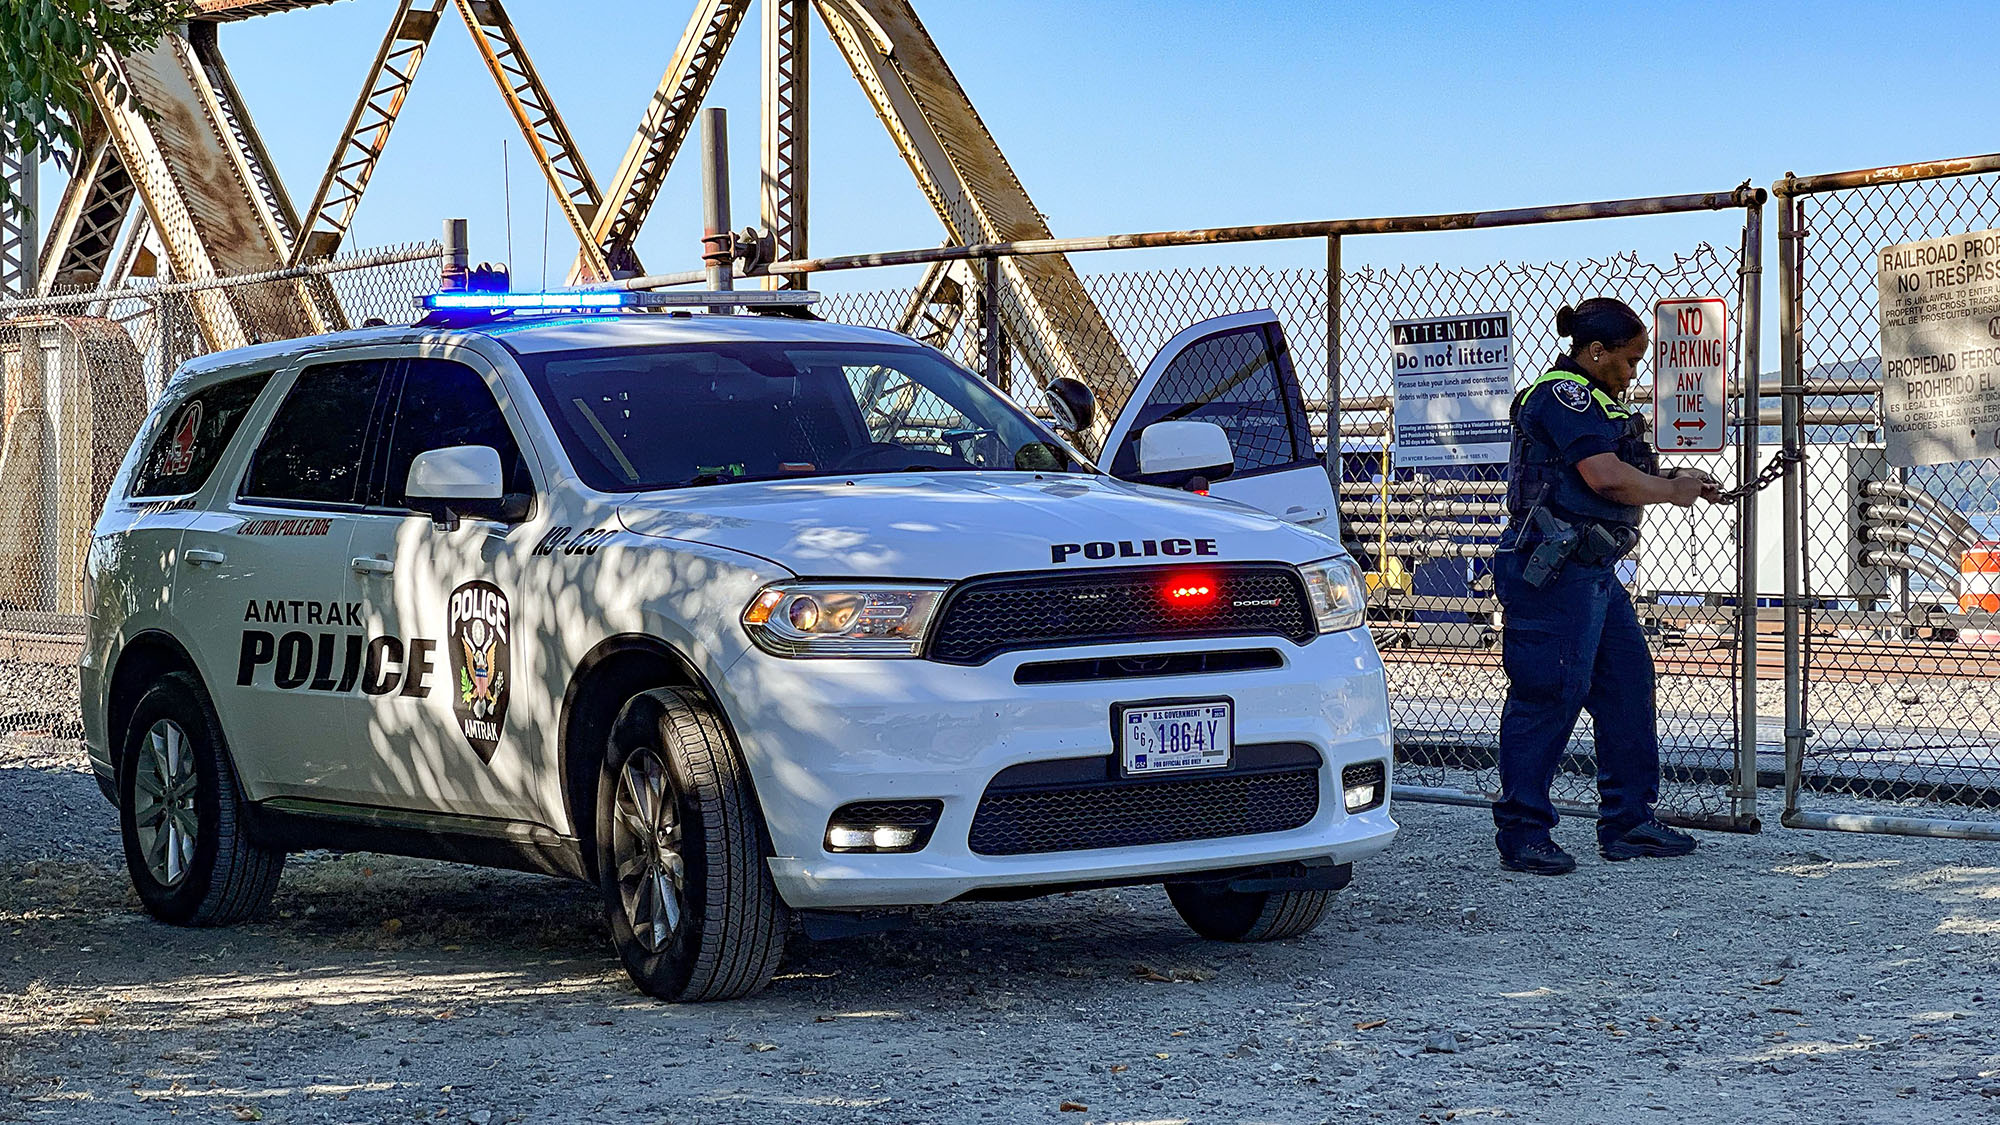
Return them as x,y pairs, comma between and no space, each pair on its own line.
1747,553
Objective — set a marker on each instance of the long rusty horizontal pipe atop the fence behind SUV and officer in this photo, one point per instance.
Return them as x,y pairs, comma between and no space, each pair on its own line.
1279,231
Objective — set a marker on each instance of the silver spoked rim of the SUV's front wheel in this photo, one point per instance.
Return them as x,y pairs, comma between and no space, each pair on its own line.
647,850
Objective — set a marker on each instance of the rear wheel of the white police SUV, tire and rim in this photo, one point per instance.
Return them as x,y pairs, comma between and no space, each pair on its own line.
183,814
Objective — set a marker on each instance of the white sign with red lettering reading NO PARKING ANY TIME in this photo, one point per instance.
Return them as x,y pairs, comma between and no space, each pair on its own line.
1691,371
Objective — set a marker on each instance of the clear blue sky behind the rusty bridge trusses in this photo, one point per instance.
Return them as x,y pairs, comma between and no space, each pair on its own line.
1167,115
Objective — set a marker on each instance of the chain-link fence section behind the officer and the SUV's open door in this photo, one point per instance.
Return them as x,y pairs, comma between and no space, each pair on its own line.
1427,535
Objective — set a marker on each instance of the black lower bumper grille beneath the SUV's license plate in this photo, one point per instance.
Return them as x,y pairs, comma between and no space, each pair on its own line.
1077,806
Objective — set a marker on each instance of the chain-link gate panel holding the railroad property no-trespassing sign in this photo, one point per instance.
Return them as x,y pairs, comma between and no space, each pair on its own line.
1897,660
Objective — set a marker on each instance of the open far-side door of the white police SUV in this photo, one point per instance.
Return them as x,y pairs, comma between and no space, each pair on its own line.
1237,373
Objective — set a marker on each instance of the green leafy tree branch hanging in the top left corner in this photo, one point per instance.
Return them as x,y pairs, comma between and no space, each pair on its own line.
51,55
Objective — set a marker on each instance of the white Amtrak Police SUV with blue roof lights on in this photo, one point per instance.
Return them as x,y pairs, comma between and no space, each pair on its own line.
745,618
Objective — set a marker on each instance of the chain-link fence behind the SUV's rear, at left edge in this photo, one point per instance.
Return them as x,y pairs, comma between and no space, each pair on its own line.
81,373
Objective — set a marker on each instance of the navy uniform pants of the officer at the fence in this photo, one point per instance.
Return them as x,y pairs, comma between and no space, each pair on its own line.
1569,648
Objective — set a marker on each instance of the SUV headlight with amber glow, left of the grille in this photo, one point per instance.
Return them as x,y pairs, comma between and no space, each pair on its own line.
841,620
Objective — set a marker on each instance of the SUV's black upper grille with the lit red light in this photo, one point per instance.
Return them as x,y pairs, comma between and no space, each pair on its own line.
1005,614
